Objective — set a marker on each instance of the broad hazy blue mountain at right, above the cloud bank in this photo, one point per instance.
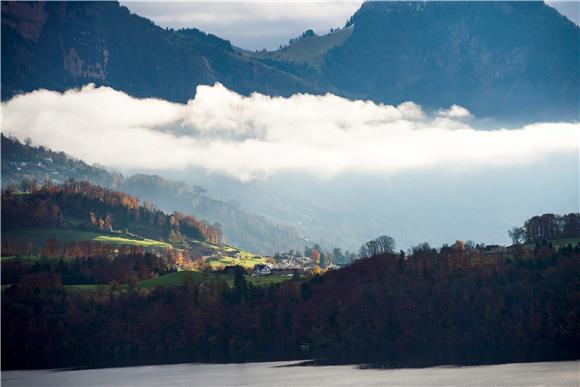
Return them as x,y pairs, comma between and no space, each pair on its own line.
499,59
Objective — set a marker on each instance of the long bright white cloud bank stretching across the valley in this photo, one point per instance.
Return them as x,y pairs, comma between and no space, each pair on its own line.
248,137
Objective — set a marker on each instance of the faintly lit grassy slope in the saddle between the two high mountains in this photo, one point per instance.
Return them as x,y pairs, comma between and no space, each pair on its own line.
310,50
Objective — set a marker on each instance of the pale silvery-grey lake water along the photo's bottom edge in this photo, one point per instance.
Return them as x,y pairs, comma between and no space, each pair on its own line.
561,373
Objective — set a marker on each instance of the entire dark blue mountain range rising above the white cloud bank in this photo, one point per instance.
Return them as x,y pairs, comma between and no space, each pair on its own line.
505,60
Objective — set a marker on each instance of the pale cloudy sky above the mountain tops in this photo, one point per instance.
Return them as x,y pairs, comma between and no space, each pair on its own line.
259,24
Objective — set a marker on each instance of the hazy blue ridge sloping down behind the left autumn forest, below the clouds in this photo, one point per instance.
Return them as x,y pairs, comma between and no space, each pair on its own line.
22,162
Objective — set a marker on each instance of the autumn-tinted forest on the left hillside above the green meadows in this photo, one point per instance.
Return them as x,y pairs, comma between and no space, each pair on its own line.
98,208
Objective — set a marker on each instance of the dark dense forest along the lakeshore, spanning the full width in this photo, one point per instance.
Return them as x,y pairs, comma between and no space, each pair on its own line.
452,296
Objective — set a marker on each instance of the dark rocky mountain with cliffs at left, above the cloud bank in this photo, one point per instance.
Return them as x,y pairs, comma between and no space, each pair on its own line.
60,45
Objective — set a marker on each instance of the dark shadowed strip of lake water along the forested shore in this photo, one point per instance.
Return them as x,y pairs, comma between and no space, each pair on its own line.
408,357
